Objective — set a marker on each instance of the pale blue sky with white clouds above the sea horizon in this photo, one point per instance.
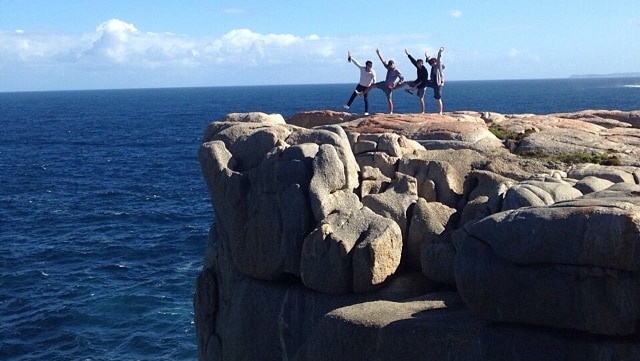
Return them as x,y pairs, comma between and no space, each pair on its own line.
96,44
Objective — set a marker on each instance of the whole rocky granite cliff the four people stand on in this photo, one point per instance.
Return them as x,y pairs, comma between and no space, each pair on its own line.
421,237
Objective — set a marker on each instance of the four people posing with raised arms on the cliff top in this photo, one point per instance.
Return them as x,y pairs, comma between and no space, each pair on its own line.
394,80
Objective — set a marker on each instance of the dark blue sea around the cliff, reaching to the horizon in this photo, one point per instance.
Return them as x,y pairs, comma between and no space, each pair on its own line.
104,213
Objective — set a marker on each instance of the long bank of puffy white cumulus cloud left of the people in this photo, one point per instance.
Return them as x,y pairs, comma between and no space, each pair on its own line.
116,42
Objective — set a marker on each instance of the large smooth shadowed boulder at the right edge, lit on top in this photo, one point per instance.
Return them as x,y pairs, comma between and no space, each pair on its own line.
571,265
